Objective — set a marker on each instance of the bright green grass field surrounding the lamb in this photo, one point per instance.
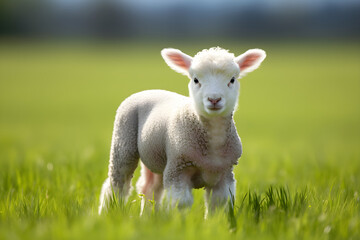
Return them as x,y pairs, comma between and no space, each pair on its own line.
298,117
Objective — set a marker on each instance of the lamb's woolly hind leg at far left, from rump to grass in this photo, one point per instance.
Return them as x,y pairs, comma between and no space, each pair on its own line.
124,158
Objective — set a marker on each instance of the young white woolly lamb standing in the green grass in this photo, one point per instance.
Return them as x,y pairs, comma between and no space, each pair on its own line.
183,142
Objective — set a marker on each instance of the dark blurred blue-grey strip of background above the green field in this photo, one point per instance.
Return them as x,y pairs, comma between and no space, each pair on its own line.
179,19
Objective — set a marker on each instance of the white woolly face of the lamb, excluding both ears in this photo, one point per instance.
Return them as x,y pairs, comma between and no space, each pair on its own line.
213,84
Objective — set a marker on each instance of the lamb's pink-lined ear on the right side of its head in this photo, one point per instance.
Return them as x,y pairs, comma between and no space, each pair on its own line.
250,60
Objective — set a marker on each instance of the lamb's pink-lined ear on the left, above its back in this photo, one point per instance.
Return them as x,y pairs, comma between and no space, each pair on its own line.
177,60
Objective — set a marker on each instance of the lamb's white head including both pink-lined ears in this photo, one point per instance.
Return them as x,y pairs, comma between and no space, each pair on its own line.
213,75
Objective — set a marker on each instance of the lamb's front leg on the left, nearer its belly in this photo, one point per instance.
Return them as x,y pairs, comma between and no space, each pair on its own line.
177,184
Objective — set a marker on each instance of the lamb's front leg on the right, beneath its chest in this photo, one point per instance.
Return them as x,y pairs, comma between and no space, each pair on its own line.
218,195
